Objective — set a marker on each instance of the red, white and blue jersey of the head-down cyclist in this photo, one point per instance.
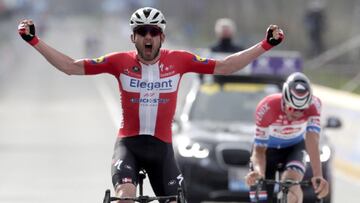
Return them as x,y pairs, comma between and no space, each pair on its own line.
274,130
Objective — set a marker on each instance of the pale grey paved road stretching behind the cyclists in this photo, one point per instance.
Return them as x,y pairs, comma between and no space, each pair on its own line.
57,131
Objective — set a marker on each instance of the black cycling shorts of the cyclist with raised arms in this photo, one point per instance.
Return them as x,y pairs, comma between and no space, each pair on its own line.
132,154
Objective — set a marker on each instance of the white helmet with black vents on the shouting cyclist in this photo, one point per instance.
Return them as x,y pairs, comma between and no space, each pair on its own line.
147,16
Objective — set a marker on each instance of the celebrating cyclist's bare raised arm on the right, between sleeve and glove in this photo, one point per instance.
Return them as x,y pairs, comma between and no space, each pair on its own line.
238,61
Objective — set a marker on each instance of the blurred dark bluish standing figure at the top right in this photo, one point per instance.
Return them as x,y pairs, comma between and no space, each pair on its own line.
315,24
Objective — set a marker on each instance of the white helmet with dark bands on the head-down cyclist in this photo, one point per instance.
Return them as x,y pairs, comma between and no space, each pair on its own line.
297,92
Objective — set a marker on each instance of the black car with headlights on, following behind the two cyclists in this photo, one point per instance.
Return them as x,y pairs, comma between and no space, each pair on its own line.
214,134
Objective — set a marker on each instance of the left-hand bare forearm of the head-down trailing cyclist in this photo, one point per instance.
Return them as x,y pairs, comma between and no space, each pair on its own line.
258,159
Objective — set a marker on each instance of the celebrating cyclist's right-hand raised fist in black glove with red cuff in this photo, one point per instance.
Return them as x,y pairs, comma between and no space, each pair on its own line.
274,36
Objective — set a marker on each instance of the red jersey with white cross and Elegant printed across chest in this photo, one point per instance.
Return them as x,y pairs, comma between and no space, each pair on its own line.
148,92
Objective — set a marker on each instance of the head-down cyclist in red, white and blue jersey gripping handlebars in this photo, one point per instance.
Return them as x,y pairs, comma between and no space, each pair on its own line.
287,126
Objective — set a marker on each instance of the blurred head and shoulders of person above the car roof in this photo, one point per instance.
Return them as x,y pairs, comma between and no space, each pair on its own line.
225,30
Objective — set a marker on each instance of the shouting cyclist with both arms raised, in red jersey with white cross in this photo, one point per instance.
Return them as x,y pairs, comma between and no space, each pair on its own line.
148,80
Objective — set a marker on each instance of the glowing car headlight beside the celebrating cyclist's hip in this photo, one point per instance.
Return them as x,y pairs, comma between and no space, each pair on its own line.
187,148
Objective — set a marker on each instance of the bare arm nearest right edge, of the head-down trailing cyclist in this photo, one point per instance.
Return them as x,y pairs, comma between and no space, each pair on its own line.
312,148
